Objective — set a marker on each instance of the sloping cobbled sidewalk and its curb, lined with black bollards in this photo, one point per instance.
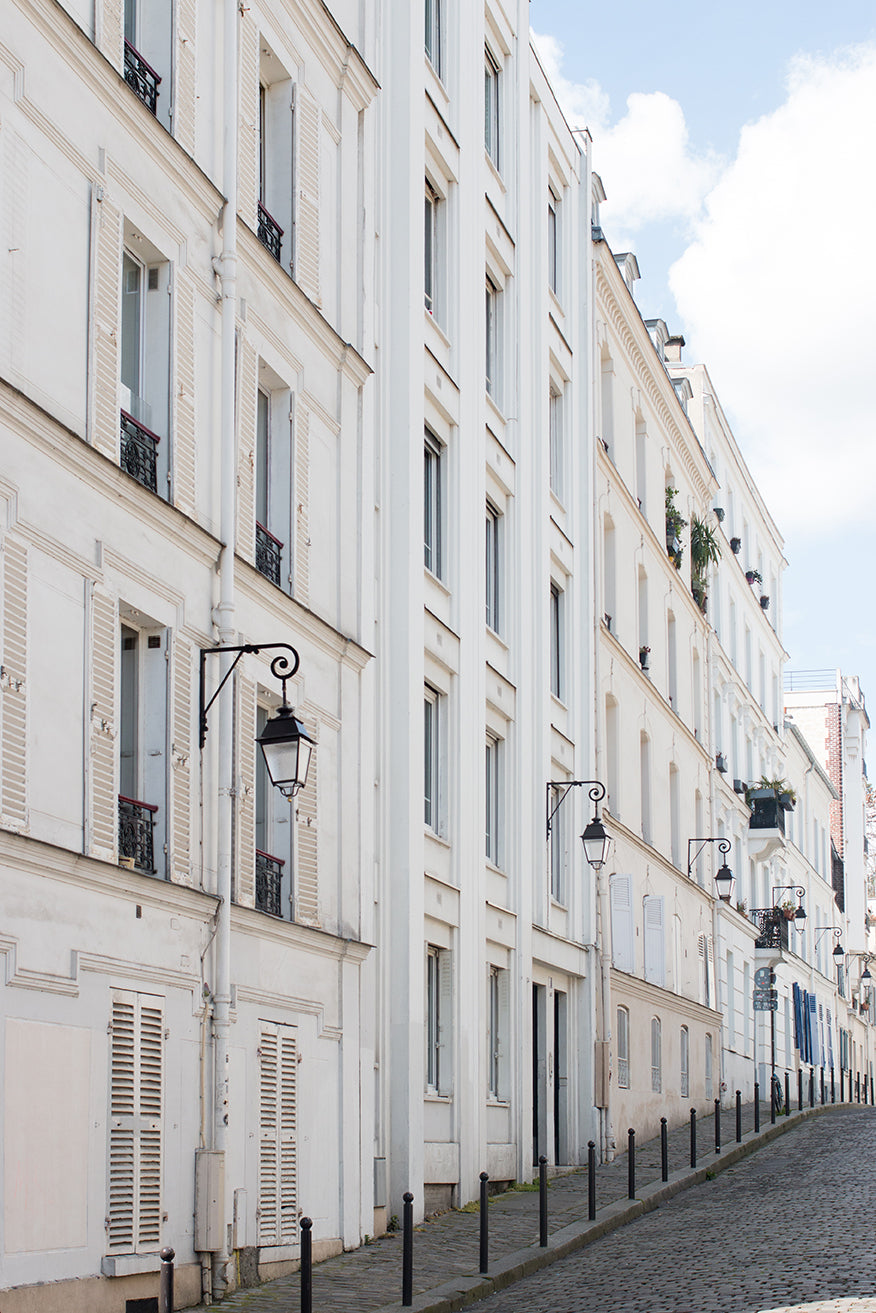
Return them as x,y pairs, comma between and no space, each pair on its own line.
446,1248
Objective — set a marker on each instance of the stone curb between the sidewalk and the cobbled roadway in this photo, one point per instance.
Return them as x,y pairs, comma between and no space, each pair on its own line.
463,1291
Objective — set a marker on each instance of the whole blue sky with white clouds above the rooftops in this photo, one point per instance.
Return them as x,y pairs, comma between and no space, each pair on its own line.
737,149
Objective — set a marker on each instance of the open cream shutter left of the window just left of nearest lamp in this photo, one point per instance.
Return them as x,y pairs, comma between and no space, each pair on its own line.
104,782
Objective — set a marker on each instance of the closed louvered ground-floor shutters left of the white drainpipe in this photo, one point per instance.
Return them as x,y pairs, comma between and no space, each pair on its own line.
136,1098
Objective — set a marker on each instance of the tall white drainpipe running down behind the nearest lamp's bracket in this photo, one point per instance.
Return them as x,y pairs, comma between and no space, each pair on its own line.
225,619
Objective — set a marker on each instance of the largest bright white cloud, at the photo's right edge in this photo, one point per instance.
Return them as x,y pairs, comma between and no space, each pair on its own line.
778,293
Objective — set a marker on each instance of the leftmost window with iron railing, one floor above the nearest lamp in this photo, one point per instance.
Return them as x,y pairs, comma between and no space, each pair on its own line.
145,360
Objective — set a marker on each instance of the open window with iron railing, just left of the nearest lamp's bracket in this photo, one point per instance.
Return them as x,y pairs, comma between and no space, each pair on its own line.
142,750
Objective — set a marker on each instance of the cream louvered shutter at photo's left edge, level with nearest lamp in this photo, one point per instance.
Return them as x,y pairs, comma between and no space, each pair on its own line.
14,637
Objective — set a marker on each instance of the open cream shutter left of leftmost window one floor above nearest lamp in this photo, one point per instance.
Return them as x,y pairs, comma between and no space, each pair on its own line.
107,287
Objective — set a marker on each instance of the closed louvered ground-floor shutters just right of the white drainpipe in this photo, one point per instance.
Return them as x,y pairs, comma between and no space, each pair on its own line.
278,1211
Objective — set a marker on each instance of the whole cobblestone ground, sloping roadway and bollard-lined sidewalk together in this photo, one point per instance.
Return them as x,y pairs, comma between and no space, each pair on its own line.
787,1226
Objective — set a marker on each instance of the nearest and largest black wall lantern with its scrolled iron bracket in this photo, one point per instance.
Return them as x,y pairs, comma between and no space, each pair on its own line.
286,744
